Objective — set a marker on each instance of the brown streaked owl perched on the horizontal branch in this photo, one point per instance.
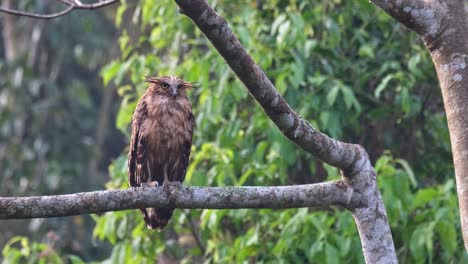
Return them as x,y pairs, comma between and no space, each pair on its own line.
162,130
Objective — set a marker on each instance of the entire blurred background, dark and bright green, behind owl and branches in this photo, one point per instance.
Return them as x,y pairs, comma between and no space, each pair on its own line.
68,88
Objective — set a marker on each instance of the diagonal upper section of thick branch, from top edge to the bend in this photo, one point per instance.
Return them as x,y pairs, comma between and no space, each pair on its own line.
348,157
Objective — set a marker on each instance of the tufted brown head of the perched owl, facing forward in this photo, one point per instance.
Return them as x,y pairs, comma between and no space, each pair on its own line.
170,86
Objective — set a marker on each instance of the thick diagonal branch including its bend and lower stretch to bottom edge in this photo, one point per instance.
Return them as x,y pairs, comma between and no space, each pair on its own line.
359,175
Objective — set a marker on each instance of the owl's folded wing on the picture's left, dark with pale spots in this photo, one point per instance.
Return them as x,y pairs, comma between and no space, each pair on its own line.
137,157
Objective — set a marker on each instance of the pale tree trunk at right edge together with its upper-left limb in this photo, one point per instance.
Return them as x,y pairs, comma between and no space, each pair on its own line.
443,25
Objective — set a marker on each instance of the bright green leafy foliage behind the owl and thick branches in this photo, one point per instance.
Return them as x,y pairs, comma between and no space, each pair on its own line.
354,73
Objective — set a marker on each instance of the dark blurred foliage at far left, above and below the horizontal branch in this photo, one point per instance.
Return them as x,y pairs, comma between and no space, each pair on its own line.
50,105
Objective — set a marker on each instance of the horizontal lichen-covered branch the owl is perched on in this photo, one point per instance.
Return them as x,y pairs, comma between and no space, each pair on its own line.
177,196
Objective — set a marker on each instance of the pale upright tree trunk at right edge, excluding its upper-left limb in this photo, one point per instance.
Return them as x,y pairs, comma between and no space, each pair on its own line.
449,51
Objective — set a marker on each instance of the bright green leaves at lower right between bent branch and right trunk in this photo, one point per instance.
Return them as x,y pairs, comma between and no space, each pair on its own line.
422,220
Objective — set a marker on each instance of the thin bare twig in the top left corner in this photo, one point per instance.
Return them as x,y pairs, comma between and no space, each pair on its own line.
71,5
